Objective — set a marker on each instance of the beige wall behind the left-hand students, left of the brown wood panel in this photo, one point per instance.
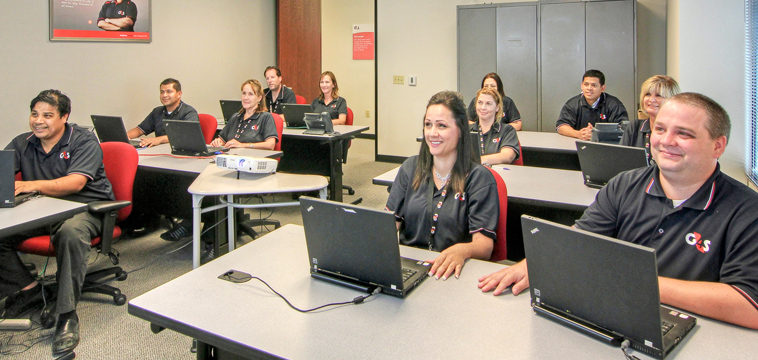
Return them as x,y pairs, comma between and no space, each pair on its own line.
208,45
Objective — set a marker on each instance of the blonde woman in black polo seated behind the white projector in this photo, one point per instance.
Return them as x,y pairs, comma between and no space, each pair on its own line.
252,127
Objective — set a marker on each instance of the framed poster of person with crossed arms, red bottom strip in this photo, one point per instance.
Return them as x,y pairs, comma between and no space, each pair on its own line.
100,20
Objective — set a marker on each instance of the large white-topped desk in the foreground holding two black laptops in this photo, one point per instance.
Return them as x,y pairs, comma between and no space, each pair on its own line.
449,319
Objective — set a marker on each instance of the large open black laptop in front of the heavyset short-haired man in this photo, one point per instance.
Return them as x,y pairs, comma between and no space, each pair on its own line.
603,287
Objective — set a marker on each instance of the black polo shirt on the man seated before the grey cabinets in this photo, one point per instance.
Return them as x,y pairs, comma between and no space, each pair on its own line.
578,114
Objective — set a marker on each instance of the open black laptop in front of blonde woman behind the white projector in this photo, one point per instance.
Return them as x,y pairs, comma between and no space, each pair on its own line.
186,138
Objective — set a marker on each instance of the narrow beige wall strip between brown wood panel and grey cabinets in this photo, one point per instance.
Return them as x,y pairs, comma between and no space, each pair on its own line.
355,77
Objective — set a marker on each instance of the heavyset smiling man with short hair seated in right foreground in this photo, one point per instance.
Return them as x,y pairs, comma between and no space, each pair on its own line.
702,223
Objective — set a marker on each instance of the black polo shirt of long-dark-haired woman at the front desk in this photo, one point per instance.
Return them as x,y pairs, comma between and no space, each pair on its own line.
460,216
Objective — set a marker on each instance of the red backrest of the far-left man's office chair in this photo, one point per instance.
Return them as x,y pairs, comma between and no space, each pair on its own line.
120,161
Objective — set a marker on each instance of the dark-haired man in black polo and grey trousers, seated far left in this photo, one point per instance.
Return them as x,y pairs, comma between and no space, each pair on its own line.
60,160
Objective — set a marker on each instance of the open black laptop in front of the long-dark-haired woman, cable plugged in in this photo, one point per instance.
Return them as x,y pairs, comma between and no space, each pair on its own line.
357,247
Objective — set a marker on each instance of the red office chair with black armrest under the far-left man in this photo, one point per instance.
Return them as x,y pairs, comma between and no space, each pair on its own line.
120,160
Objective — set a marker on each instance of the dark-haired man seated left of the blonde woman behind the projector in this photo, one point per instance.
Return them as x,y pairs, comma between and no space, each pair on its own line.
173,108
